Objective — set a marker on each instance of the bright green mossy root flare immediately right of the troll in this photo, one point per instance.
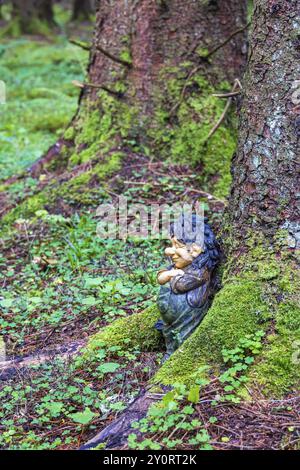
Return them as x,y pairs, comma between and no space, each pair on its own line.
238,309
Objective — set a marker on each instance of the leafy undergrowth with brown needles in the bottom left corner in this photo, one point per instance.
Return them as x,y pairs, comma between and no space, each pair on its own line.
64,404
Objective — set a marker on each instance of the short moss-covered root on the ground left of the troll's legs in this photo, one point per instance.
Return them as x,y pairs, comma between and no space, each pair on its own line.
138,330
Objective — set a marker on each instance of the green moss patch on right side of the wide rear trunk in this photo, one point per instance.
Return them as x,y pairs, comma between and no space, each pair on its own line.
181,132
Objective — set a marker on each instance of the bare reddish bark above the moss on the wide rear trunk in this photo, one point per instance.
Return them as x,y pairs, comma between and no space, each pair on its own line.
159,34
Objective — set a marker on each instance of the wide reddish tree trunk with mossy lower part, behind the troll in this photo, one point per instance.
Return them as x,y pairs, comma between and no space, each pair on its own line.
153,68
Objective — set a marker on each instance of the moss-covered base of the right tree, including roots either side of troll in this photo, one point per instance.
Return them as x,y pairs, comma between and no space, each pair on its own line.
246,304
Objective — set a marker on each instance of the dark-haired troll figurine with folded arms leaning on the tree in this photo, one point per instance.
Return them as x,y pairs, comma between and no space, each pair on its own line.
188,285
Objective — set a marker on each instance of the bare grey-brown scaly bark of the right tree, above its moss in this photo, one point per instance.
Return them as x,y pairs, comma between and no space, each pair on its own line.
265,190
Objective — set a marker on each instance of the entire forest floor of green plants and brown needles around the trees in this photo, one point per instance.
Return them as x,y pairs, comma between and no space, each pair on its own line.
59,284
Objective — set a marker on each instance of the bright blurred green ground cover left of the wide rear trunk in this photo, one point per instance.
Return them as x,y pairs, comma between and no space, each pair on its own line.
41,99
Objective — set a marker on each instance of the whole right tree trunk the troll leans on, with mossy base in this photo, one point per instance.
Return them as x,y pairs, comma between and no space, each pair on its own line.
261,280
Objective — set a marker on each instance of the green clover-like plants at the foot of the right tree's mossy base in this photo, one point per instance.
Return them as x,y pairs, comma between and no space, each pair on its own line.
175,421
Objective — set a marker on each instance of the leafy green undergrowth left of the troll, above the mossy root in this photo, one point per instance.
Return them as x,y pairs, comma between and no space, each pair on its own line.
64,274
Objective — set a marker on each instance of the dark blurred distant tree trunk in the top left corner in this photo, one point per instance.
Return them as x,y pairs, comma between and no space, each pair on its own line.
31,12
